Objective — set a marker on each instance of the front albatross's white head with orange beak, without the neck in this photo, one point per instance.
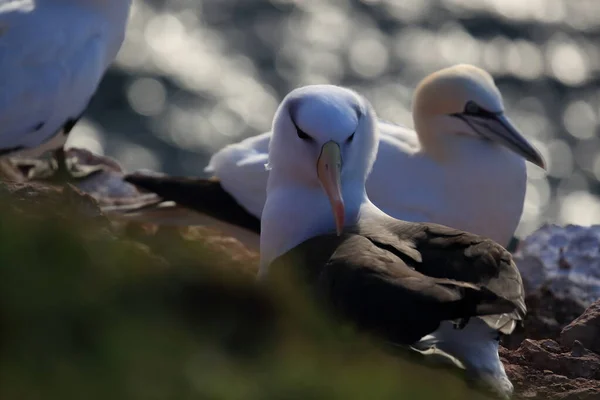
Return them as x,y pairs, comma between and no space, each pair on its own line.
326,136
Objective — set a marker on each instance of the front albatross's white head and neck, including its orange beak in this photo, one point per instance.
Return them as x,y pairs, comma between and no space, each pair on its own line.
322,149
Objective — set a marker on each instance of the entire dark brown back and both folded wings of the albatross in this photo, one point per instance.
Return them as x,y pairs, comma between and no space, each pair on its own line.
399,280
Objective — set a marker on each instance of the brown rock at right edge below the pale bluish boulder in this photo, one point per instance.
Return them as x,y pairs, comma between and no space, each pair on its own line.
585,329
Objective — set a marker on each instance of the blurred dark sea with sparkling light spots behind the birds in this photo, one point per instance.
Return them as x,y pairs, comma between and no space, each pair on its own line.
193,76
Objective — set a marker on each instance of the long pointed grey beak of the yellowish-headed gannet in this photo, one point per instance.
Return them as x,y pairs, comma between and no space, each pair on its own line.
496,127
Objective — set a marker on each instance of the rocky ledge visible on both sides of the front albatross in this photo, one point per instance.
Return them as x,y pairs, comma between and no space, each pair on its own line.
556,355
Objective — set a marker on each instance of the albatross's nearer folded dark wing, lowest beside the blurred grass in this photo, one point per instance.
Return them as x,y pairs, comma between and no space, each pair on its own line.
374,288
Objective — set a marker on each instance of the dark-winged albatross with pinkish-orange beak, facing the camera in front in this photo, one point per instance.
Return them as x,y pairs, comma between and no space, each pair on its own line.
417,284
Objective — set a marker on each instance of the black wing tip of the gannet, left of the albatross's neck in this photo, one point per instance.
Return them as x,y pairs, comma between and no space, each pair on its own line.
206,196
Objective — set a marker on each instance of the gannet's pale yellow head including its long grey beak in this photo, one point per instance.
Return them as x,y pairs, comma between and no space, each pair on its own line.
464,100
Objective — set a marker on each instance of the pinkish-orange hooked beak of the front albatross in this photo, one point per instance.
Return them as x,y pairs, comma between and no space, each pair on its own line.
329,169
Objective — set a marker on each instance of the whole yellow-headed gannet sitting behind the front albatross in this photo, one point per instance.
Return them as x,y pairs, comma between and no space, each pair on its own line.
463,166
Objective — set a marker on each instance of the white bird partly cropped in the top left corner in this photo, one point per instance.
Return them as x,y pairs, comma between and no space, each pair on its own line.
53,54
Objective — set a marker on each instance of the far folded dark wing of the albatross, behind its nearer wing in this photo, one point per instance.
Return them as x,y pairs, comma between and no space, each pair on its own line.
453,254
